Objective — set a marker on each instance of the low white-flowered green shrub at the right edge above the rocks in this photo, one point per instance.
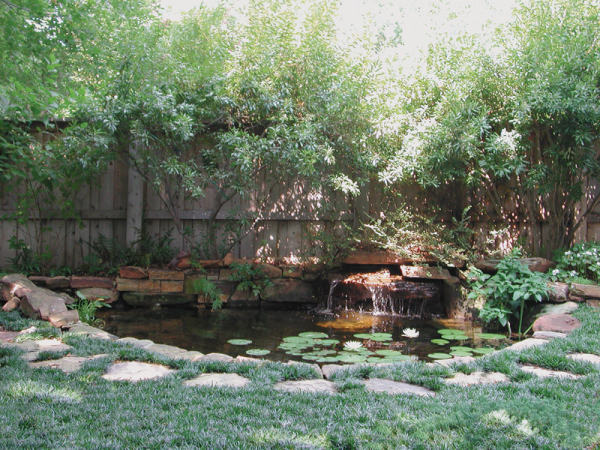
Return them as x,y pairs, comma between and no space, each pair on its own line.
580,261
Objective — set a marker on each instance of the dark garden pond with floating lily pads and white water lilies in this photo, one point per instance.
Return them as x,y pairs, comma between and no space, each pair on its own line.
309,336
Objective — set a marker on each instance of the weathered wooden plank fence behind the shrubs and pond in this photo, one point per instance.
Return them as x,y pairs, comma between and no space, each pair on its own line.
120,203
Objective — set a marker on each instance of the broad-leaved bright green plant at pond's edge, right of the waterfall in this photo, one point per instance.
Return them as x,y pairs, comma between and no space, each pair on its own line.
507,291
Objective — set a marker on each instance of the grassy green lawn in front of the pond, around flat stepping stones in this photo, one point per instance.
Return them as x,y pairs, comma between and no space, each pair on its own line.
47,409
